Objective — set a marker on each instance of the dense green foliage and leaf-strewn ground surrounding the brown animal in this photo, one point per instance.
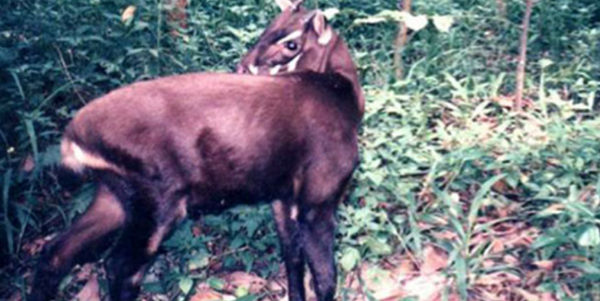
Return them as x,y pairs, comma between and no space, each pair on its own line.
458,196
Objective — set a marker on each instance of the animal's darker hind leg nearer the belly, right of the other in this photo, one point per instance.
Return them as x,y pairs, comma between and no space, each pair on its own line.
146,227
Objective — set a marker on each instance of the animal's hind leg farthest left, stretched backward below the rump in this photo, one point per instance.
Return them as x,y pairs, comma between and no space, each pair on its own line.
87,238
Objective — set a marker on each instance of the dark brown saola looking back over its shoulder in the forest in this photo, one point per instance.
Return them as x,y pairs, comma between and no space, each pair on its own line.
208,141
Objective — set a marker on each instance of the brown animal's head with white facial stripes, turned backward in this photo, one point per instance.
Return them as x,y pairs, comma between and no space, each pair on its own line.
298,39
